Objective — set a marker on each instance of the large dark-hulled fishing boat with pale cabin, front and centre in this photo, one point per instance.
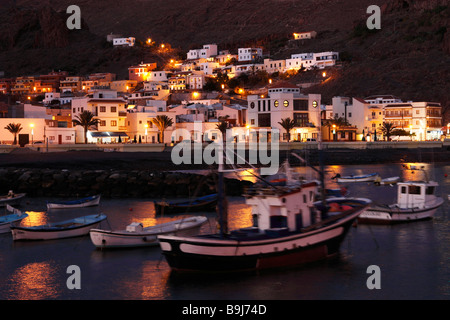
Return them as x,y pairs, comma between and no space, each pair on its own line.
290,228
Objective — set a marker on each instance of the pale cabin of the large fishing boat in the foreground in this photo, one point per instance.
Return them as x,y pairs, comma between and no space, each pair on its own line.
284,208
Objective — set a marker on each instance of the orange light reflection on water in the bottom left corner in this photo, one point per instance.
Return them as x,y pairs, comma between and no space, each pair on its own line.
35,281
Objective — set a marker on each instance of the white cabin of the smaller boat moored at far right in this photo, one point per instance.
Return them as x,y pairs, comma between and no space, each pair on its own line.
416,194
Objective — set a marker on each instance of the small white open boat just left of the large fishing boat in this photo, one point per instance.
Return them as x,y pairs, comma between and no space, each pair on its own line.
135,235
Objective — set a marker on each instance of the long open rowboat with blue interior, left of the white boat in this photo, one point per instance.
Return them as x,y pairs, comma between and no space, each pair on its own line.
66,229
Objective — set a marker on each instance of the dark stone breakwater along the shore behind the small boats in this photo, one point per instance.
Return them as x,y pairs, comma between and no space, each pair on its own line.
38,182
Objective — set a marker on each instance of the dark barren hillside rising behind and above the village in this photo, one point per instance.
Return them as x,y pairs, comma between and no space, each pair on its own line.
409,57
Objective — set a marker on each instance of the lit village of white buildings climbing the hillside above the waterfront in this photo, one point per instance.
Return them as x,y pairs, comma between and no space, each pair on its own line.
202,94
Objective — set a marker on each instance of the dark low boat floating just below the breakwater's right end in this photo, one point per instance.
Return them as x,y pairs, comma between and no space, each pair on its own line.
205,203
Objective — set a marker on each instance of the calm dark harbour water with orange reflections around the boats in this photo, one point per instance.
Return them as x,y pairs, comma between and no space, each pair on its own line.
413,258
